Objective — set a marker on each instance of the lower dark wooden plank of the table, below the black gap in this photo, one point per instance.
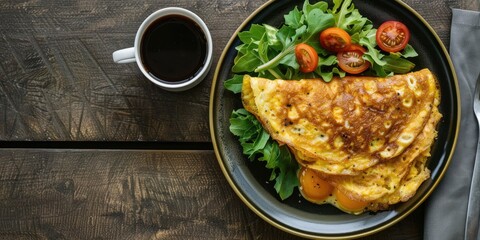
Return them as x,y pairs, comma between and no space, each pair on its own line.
90,194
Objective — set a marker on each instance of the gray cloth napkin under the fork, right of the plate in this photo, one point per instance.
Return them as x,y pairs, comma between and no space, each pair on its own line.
447,207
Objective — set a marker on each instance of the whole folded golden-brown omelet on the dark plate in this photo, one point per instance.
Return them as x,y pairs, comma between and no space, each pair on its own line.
368,137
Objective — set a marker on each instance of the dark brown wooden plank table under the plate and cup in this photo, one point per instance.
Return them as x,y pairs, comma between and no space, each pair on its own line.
92,150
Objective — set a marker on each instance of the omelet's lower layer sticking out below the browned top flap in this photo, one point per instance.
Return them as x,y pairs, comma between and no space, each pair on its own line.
388,177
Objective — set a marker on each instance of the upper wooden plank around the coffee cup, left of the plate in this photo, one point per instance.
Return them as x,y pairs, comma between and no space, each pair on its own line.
58,80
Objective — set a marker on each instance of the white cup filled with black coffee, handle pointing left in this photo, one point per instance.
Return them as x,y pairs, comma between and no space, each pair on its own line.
167,72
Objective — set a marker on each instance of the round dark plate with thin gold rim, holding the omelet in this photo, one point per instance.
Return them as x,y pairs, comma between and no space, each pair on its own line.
295,215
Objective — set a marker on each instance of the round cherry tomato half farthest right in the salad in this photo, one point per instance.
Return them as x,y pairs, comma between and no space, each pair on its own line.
392,36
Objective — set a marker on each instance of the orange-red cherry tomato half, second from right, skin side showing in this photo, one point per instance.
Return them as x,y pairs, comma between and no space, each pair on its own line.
335,39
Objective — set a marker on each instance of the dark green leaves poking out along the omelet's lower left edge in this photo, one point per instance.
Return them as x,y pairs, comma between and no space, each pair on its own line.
257,144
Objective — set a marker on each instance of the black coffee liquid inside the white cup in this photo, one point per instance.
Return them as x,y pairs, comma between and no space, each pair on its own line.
173,48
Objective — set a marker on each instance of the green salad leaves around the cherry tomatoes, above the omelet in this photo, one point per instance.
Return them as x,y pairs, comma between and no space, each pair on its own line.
266,51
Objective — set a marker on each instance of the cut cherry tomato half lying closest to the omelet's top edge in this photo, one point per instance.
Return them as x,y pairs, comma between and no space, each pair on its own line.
351,60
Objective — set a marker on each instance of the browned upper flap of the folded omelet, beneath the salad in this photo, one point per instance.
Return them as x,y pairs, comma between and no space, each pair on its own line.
346,125
